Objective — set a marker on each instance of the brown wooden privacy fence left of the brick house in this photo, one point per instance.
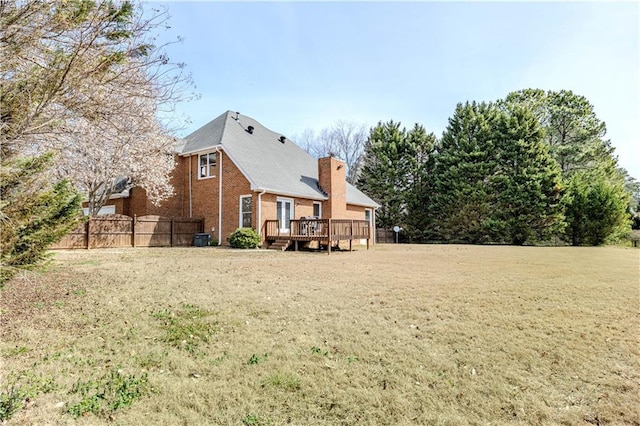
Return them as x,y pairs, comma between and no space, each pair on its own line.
115,230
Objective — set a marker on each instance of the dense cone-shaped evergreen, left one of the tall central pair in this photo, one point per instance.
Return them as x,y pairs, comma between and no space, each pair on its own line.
462,200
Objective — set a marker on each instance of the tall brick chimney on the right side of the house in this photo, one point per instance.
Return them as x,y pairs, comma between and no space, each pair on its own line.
332,180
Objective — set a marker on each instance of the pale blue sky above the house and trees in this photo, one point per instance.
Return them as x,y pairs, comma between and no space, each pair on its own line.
299,65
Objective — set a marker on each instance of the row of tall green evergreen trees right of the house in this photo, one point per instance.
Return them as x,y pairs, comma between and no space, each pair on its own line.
531,168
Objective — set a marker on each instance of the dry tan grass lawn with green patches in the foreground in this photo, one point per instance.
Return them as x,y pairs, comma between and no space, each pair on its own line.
436,335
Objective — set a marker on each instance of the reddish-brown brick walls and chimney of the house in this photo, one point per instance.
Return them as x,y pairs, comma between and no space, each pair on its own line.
204,196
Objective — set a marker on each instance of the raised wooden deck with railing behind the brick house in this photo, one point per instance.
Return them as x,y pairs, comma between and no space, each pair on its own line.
322,230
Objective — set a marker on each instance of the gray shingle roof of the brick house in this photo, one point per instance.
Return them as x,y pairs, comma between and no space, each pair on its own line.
268,164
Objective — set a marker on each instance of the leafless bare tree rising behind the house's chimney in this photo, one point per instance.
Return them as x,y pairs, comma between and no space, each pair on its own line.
344,139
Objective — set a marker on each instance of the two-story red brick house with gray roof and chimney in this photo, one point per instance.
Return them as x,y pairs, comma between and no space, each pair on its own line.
234,172
